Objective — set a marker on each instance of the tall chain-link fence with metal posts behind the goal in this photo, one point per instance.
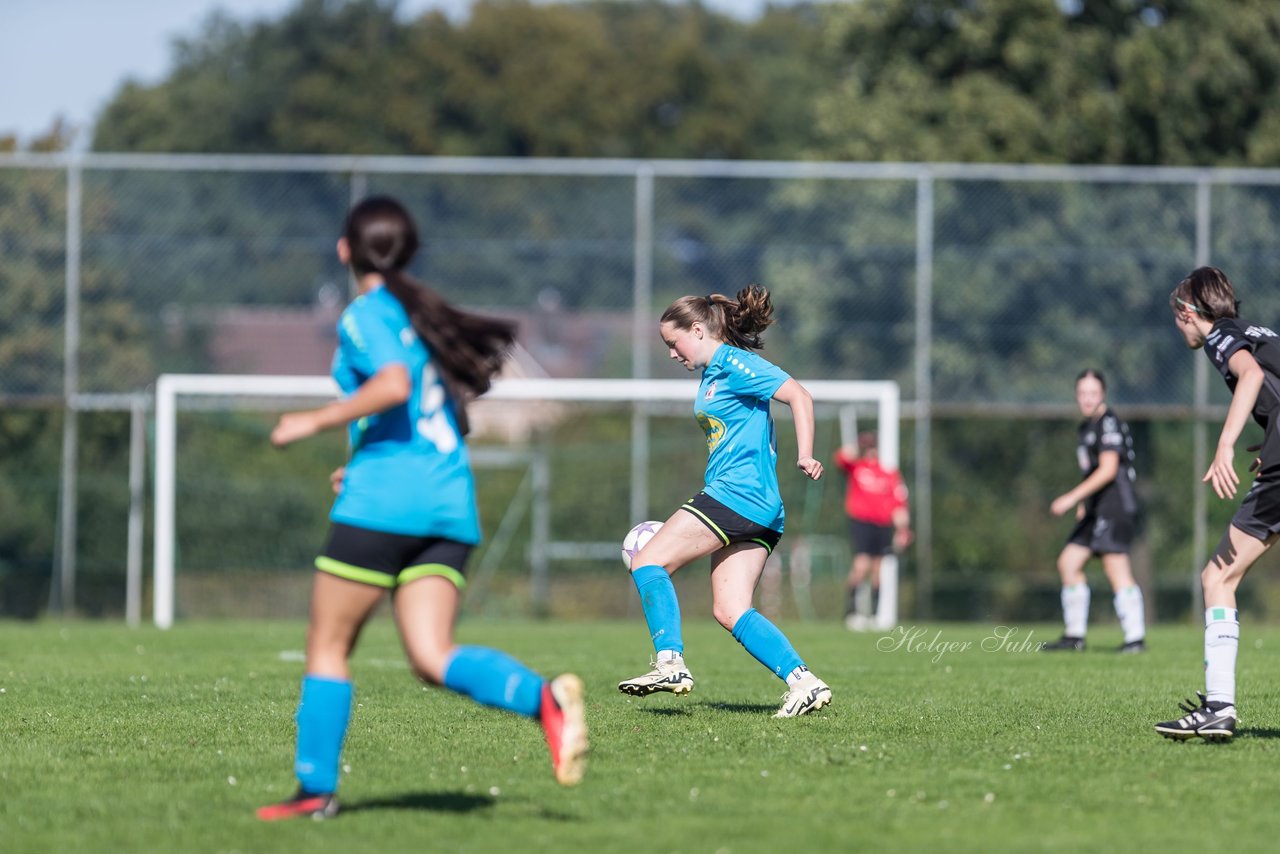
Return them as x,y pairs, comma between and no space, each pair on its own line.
982,291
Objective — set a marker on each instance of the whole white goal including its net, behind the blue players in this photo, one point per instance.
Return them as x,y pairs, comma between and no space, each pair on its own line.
564,468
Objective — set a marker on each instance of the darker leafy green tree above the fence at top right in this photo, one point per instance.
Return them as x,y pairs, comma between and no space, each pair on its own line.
1094,81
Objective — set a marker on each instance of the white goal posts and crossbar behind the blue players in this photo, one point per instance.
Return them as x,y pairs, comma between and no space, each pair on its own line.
170,389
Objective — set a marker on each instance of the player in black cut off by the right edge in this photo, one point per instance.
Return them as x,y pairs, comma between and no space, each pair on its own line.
1249,359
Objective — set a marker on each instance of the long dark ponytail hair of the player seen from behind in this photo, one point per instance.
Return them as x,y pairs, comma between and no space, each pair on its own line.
469,349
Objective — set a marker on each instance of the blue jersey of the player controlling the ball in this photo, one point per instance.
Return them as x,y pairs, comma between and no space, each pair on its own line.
733,409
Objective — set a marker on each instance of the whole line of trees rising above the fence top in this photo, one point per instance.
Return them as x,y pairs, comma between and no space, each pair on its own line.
1139,83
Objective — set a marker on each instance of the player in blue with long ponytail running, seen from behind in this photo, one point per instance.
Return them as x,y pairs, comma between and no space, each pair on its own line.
405,519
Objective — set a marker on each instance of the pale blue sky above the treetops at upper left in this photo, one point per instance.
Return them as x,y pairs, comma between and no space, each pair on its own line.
66,58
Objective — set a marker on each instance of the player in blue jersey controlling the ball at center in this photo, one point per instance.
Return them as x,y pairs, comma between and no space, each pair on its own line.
738,518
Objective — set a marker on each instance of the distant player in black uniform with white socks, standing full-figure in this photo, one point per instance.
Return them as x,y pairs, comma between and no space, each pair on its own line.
1107,506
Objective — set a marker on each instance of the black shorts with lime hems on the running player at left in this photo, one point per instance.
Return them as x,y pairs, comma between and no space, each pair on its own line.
391,560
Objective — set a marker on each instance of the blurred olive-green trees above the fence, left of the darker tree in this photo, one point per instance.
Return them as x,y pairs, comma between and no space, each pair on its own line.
515,79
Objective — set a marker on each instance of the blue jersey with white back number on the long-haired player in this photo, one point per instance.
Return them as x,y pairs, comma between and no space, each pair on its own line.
409,471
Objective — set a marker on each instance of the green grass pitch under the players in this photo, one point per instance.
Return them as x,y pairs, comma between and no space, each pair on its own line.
118,741
